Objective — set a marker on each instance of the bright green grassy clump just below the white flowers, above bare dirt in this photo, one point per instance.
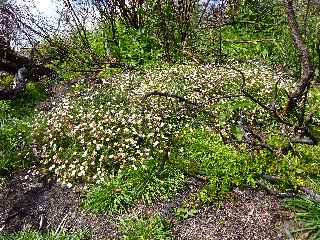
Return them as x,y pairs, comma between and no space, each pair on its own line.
122,191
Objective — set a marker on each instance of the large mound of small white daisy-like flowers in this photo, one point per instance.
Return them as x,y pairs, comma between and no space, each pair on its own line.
94,133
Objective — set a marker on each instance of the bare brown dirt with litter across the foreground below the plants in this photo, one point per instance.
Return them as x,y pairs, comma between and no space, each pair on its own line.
29,201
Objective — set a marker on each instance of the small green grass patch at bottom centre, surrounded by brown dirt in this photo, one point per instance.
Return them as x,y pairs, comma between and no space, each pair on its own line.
152,228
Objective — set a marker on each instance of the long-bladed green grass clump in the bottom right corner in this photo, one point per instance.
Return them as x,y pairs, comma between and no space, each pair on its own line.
308,214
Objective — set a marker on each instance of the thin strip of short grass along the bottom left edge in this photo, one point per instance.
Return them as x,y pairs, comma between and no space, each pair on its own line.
50,235
